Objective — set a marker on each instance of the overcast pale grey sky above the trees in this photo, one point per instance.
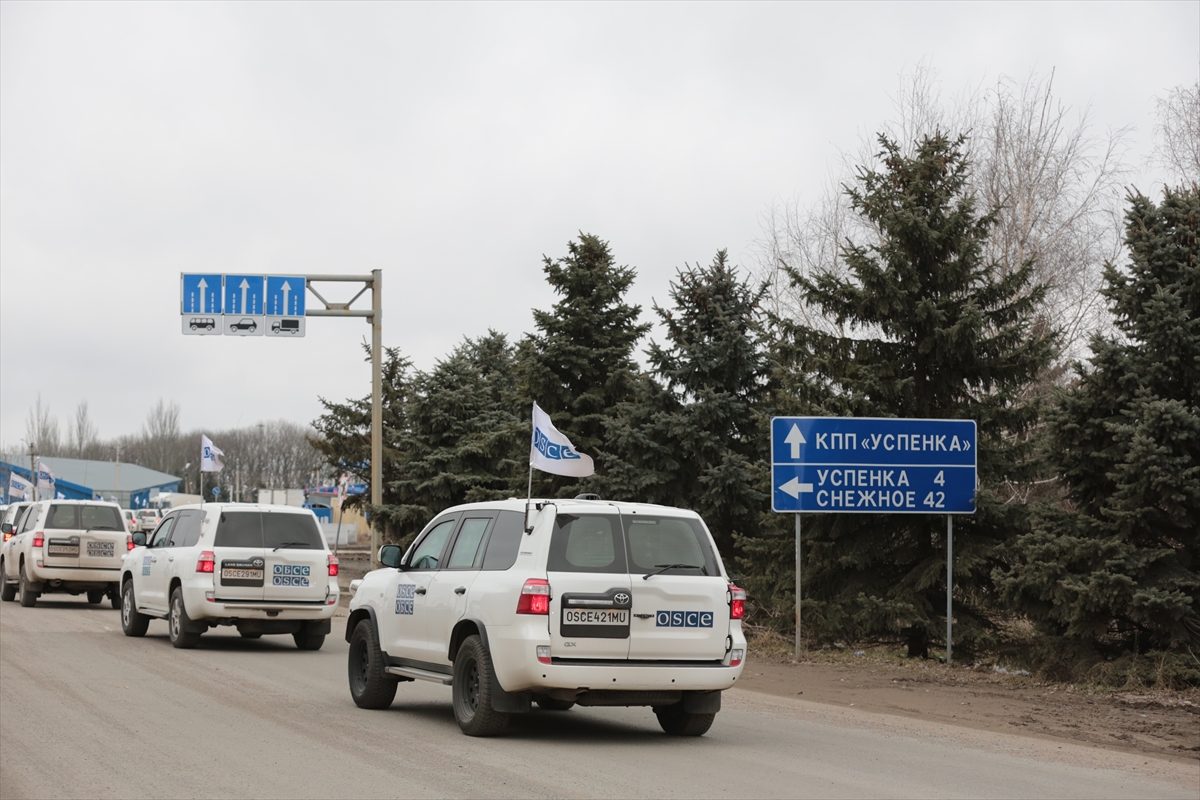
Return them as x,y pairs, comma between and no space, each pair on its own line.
451,146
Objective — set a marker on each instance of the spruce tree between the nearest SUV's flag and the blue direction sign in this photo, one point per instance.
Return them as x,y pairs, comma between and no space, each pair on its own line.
693,437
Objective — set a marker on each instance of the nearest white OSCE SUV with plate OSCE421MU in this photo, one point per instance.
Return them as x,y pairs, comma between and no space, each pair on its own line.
601,604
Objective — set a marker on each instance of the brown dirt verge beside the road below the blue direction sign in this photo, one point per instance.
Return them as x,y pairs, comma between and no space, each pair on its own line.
1165,725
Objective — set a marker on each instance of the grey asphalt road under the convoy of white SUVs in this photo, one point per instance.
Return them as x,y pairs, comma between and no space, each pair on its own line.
88,713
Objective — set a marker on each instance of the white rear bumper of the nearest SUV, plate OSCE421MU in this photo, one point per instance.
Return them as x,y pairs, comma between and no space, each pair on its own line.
515,659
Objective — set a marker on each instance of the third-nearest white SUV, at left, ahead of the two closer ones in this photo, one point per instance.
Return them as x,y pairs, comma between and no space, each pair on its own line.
67,546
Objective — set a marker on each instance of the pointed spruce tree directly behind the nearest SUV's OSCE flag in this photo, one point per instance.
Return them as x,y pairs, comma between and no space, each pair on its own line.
579,365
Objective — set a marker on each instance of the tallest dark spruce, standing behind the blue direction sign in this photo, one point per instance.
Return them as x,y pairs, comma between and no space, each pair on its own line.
932,329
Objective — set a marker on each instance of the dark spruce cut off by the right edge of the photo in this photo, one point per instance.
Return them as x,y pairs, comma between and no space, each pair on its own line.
1119,563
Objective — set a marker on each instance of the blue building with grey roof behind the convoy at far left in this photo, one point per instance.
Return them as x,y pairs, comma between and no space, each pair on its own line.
83,479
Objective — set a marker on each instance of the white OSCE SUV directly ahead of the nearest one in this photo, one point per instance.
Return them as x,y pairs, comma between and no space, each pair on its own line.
257,568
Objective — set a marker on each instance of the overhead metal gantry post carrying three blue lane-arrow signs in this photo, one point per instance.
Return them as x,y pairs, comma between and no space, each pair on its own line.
279,302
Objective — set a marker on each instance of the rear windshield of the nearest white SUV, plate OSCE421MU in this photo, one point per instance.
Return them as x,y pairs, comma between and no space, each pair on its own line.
633,544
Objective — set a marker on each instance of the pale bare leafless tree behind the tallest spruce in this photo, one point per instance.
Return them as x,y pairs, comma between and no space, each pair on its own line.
1058,189
